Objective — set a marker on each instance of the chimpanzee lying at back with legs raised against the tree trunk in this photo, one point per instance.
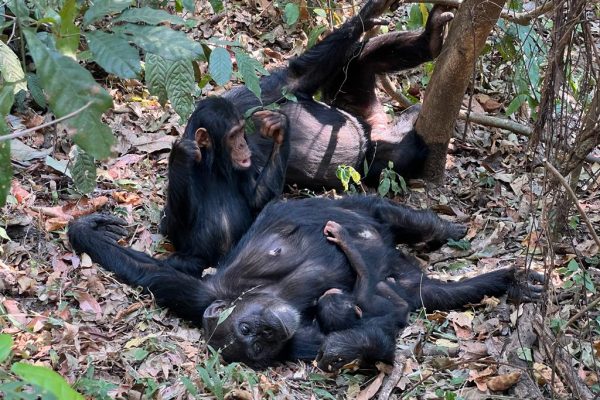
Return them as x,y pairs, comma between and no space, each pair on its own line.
350,126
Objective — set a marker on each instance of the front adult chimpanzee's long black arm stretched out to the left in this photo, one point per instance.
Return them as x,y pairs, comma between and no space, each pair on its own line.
97,235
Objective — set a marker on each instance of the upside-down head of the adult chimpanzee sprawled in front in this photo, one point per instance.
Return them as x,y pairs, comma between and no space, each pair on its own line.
256,330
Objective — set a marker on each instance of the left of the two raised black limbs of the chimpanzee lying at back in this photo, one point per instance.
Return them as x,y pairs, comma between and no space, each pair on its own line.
308,72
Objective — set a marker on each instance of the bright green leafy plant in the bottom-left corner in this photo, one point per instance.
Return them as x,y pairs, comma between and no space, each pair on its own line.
28,381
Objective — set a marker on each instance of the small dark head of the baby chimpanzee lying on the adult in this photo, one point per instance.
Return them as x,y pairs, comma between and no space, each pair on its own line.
337,310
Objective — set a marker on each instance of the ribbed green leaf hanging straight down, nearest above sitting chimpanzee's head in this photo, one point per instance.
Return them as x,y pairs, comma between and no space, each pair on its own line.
179,85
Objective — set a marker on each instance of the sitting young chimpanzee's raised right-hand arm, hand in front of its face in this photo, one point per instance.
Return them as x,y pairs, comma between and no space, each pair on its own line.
269,183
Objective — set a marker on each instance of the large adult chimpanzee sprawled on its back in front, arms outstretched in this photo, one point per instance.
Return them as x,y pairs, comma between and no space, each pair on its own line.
281,266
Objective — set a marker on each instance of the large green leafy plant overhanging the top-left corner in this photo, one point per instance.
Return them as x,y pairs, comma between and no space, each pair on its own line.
115,35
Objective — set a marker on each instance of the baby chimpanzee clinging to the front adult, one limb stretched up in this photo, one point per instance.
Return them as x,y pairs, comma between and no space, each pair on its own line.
371,297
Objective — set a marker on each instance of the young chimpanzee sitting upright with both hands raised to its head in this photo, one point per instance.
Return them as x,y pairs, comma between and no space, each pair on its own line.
218,183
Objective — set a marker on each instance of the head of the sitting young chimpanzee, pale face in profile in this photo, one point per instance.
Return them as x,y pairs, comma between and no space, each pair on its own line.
218,129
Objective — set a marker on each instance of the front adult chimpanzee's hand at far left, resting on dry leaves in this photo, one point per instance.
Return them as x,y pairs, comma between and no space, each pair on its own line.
95,227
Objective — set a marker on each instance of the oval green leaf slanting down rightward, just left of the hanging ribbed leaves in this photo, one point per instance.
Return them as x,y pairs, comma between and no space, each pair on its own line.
114,54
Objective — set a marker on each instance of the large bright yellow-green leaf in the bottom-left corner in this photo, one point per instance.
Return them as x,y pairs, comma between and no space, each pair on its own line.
47,379
